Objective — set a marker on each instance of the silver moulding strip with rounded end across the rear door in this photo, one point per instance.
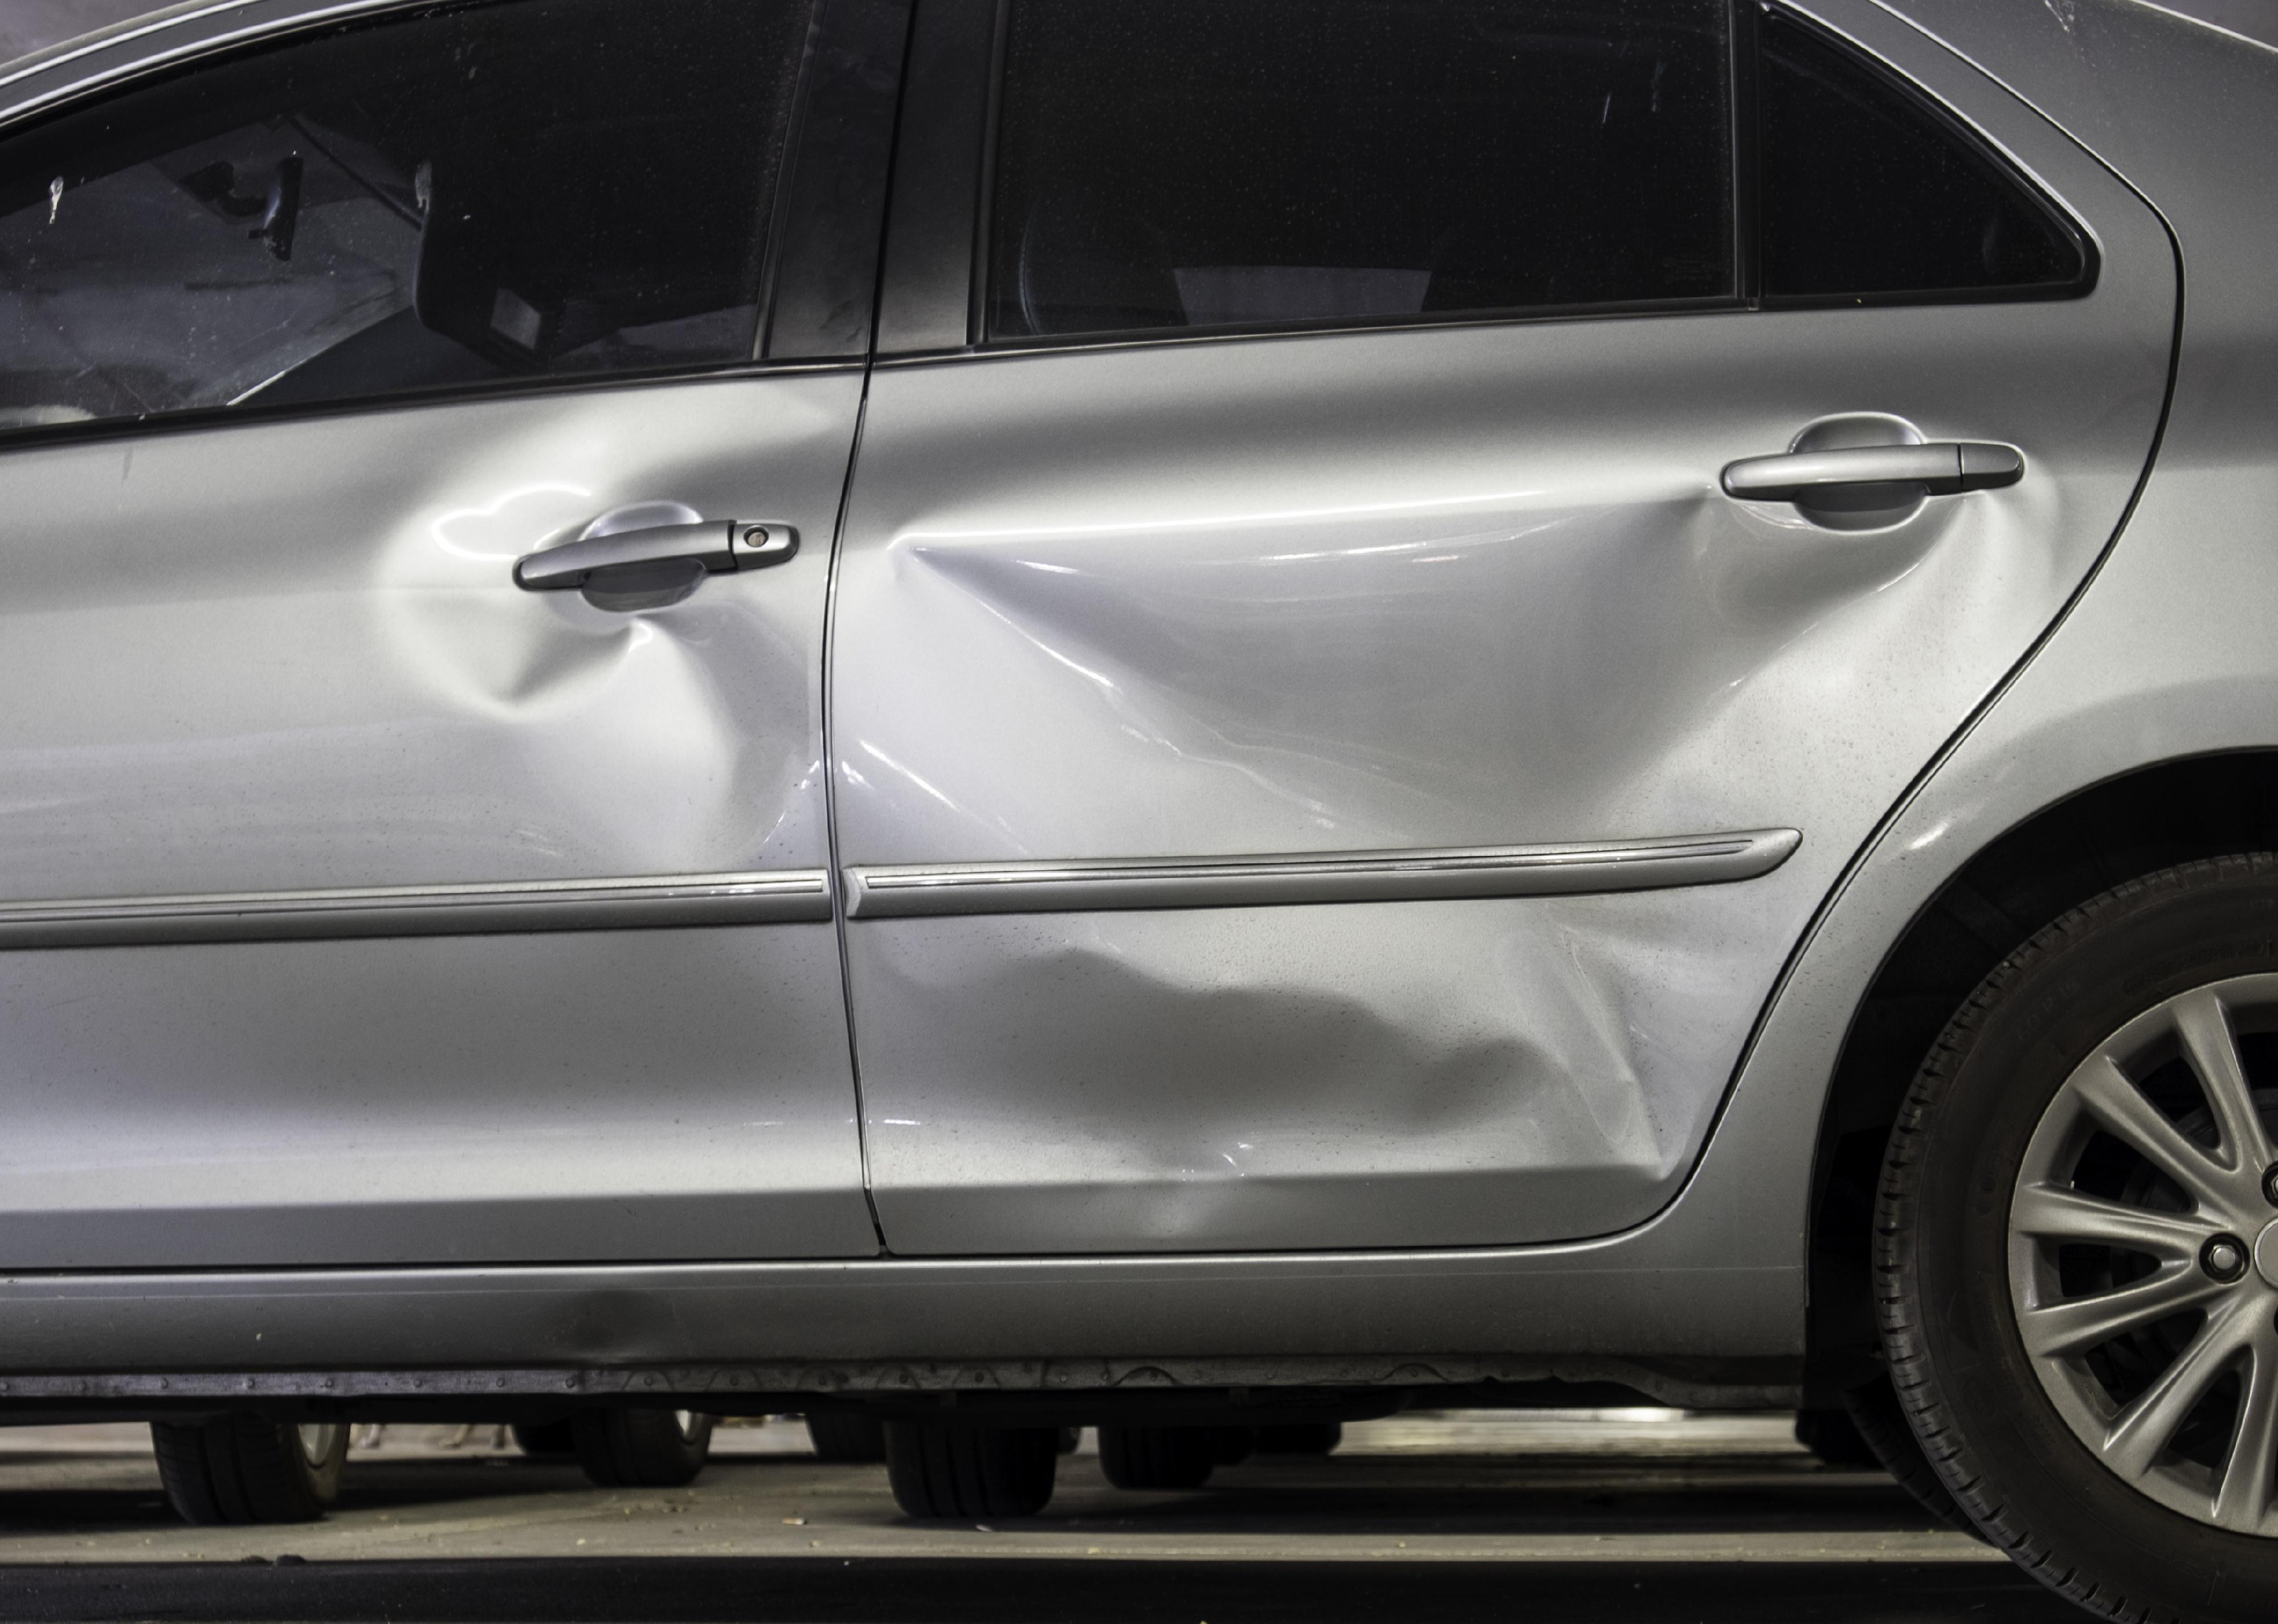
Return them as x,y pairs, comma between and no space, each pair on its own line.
1227,883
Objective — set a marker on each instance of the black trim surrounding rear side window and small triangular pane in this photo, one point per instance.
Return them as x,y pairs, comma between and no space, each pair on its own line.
960,154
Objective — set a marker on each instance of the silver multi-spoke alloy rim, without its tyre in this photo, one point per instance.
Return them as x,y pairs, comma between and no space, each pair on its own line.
2145,1254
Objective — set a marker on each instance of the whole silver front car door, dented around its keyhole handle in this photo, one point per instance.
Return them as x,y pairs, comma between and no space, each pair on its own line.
423,450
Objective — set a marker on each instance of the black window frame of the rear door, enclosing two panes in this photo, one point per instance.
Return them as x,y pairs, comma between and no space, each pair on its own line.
935,295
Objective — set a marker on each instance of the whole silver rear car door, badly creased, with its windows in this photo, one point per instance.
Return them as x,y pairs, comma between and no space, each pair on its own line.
1336,721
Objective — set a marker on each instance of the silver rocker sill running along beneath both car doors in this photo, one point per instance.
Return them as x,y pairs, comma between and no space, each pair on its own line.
1357,1309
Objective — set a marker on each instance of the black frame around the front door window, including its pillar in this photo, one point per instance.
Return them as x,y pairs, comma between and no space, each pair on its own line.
823,218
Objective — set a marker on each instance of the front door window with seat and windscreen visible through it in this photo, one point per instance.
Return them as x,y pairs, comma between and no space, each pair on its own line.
502,192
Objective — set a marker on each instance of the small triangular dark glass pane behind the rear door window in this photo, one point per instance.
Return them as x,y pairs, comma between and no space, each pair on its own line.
1867,190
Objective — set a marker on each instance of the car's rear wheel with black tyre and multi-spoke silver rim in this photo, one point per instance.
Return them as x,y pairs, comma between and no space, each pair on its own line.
2079,1249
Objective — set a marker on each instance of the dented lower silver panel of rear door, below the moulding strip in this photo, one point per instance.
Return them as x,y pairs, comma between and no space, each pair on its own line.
1511,1069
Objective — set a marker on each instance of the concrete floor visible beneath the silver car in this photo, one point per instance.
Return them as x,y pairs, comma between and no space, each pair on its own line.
1609,1518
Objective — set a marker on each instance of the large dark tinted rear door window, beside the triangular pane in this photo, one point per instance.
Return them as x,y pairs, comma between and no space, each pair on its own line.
1252,163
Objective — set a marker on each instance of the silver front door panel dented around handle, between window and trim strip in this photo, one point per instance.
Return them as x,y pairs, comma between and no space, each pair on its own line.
363,698
